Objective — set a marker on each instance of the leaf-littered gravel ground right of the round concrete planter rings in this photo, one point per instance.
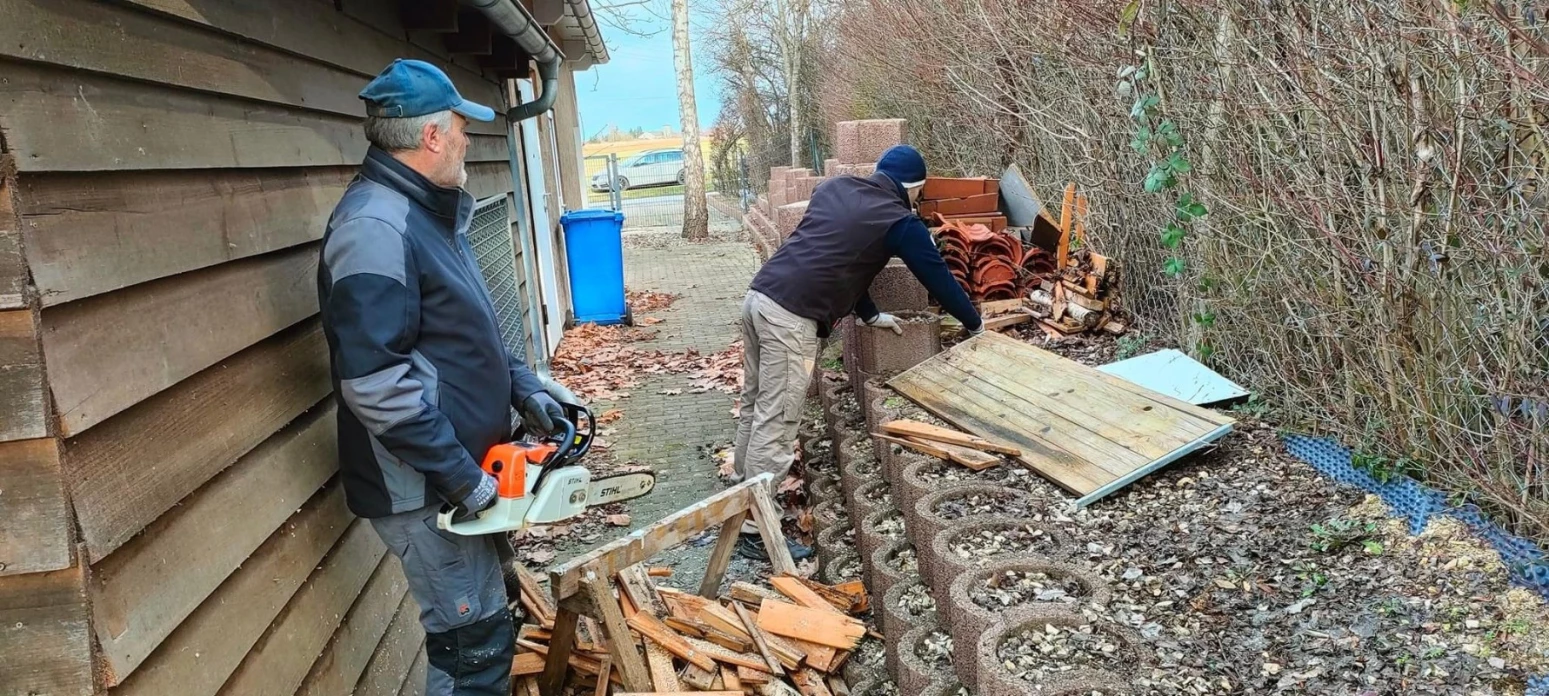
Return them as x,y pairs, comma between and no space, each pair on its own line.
1246,573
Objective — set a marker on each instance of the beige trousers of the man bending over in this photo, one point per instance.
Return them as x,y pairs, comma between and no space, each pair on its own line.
778,353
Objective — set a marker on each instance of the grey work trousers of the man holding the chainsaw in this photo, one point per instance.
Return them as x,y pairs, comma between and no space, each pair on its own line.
458,582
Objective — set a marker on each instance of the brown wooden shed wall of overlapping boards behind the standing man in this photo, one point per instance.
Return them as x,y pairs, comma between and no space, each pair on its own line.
171,520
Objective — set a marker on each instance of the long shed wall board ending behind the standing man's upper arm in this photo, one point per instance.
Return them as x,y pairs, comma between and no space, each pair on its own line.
109,353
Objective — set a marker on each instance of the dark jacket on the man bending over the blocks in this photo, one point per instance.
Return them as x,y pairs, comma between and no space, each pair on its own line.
851,230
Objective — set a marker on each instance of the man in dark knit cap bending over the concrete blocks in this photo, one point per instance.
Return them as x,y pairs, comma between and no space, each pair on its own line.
851,230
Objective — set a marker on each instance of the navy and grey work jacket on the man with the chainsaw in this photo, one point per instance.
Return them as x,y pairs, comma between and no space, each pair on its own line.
424,381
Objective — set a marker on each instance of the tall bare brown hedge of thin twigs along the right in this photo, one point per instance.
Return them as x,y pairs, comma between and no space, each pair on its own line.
1375,253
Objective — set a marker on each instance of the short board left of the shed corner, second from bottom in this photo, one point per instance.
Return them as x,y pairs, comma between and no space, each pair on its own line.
36,532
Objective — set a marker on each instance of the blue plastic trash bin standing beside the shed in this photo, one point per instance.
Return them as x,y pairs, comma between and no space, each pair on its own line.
596,257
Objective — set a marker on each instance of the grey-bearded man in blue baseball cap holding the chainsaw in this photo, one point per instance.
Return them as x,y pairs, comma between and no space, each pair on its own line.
422,377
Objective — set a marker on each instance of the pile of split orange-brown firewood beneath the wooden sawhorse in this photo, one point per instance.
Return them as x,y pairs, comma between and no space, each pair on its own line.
791,638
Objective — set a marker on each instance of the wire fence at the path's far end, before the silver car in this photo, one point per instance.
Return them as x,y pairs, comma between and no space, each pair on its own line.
648,187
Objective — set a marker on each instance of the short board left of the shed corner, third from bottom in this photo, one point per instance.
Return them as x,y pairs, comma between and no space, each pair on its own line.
24,408
